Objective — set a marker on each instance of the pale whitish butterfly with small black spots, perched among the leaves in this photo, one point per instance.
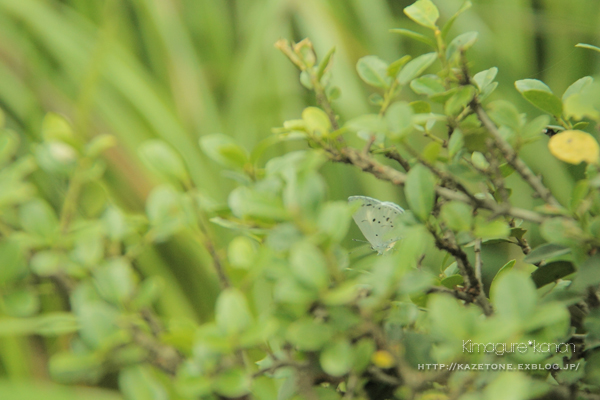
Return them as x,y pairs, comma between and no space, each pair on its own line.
376,219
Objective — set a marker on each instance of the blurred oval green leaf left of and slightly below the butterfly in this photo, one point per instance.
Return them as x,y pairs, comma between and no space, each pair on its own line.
309,265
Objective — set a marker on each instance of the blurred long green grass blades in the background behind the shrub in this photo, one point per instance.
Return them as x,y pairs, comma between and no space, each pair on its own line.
180,69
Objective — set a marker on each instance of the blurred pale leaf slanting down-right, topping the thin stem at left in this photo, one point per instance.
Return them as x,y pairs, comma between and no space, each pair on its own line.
158,156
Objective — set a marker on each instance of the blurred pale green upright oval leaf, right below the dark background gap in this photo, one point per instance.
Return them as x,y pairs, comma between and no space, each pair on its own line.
232,313
